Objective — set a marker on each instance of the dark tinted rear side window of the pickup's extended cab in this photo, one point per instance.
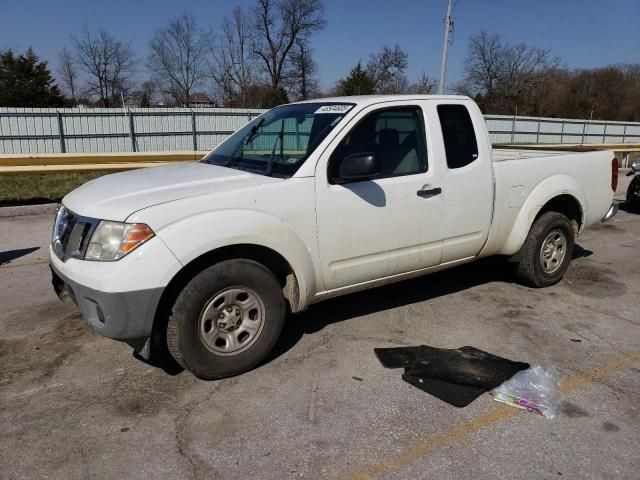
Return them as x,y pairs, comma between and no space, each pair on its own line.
459,136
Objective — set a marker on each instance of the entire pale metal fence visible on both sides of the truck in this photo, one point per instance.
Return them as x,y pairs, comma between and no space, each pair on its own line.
87,130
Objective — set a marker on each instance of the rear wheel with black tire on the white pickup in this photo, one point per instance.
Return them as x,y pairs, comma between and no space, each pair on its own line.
547,251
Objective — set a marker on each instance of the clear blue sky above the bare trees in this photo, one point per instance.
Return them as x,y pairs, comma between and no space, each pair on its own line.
583,33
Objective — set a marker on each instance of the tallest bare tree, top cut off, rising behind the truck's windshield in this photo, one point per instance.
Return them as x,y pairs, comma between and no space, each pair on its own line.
279,24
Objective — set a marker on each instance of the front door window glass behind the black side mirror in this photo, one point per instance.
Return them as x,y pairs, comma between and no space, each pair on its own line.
394,135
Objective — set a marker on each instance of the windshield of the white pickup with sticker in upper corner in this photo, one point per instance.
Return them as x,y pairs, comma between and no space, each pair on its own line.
278,142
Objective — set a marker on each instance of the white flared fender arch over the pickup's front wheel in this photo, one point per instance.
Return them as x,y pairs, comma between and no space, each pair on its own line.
193,236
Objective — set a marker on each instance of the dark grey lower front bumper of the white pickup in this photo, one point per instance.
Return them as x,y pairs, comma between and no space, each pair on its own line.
123,316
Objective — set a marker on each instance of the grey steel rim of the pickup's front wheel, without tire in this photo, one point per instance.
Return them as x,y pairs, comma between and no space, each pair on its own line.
232,321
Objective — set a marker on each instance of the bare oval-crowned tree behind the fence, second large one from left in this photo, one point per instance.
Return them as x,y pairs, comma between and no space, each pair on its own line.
179,56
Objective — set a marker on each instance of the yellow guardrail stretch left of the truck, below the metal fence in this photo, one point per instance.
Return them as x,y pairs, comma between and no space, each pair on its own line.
89,162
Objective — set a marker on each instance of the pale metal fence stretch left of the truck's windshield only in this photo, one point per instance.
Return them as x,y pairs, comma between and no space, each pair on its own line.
97,130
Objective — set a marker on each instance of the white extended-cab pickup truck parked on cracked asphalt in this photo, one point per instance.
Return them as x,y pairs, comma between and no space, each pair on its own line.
309,201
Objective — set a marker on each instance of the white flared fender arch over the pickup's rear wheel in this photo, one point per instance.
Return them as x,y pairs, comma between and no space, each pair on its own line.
545,191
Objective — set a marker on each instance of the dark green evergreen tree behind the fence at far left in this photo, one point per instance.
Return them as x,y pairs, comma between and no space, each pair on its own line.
25,81
